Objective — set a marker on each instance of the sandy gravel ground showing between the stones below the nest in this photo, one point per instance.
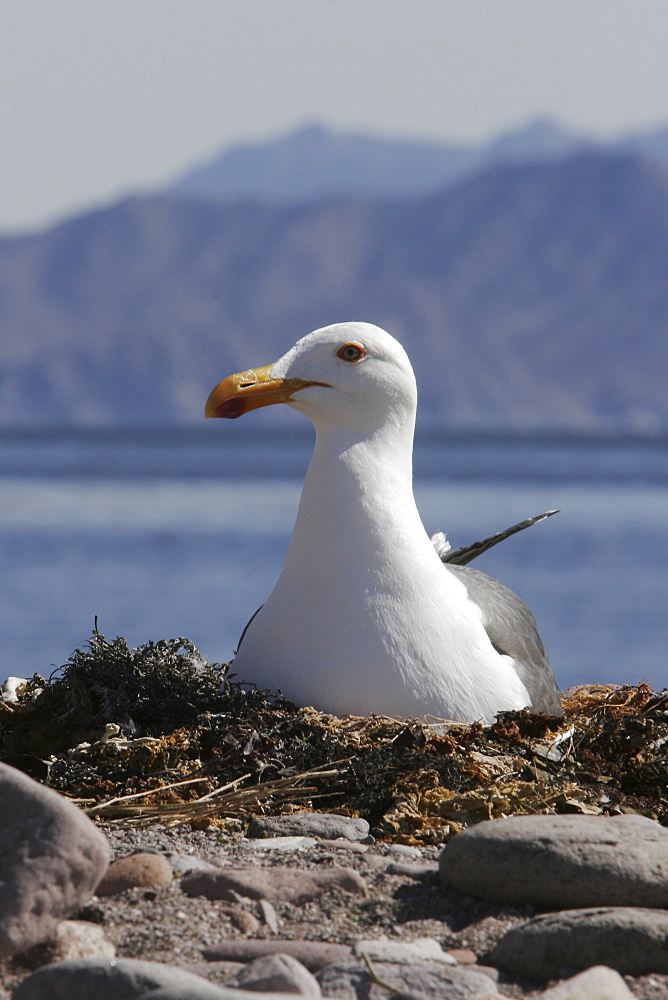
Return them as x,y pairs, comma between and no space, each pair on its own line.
165,925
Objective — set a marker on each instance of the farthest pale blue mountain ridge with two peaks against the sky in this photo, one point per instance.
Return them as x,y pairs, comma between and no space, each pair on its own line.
315,162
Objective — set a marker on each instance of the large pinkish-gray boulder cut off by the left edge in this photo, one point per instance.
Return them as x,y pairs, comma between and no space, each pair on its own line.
51,859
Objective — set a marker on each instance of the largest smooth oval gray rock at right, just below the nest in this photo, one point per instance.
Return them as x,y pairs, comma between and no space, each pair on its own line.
561,861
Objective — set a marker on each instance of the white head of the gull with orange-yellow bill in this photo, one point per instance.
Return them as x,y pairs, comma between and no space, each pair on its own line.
353,375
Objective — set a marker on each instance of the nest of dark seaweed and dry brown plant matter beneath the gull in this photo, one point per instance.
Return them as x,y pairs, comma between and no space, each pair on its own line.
157,734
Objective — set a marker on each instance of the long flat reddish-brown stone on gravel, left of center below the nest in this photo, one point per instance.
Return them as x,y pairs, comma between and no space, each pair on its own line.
290,885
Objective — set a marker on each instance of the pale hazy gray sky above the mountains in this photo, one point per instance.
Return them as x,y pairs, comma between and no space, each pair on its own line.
99,99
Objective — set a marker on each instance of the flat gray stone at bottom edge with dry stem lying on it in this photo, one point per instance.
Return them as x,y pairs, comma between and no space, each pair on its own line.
430,979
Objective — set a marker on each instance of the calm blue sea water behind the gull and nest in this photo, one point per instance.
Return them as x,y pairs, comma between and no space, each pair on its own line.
173,532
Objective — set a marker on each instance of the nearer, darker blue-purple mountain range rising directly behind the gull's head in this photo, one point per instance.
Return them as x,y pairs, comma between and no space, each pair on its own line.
528,297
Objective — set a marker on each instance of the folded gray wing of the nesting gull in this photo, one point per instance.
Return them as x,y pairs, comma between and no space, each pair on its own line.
512,630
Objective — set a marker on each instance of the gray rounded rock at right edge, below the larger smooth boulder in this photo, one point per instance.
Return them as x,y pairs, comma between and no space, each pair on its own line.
632,940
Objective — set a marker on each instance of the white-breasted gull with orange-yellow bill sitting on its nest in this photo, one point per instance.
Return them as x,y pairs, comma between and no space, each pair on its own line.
366,617
